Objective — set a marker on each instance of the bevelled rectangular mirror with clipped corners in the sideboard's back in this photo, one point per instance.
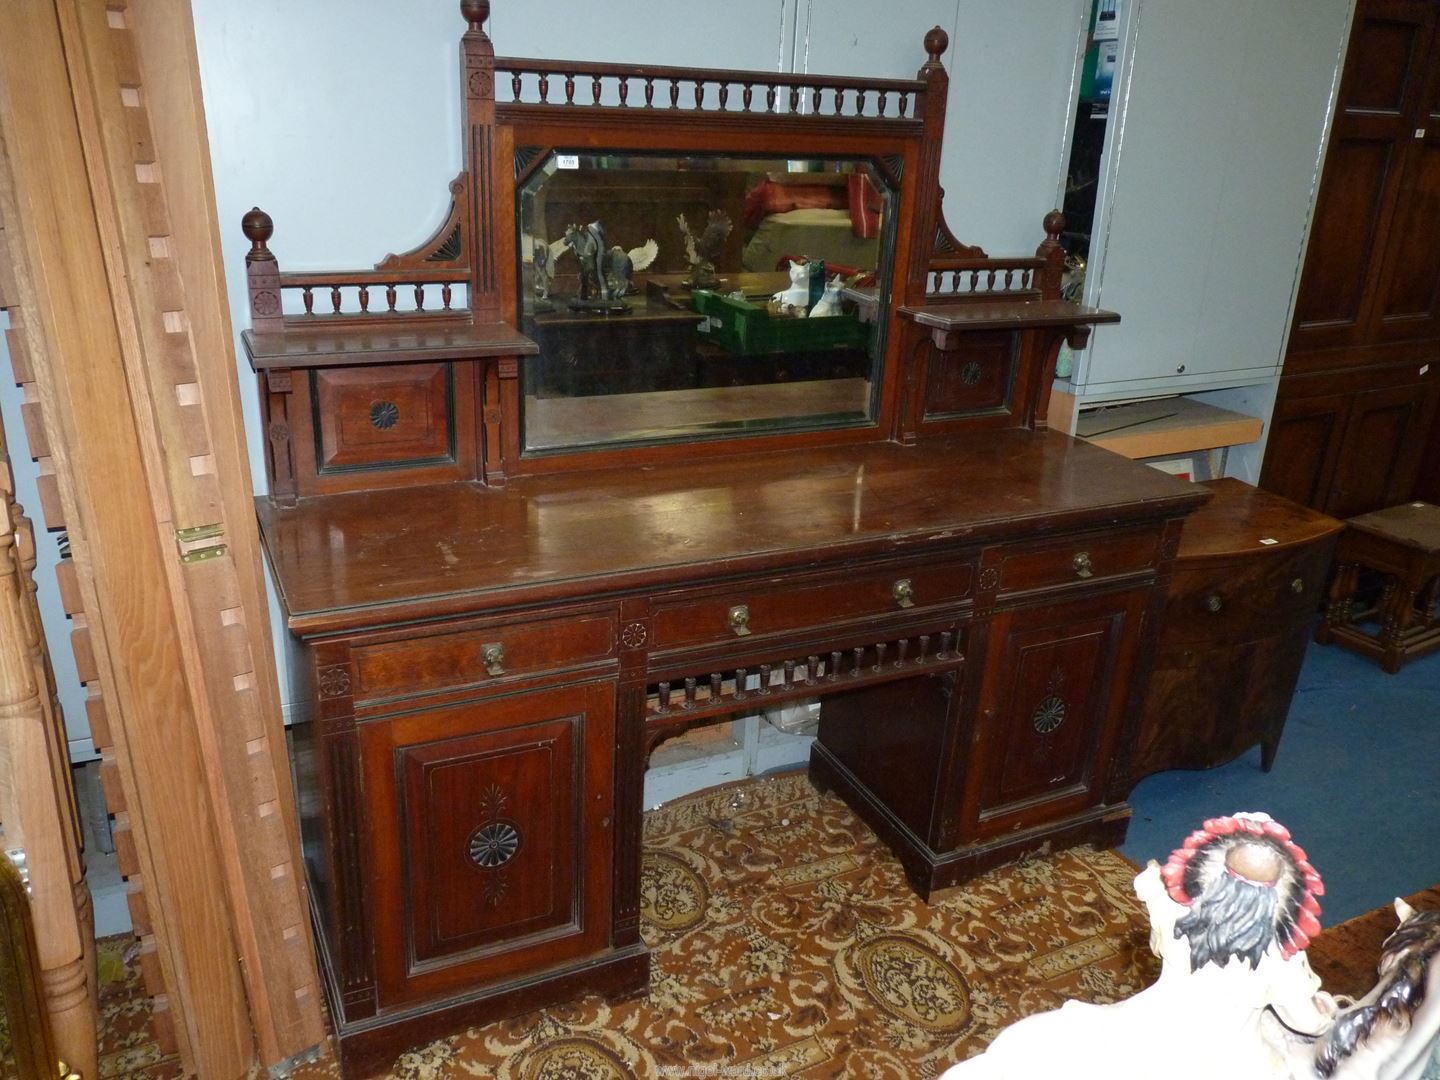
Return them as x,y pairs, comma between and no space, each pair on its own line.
699,296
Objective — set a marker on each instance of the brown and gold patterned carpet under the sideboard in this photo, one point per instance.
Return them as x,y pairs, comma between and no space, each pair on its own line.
787,942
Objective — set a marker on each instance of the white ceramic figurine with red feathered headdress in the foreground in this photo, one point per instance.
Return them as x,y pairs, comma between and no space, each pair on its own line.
1232,914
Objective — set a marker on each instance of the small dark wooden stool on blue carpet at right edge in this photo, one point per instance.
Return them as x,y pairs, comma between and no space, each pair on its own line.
1403,545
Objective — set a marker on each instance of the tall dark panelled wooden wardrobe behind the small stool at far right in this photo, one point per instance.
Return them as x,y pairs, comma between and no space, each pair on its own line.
1354,427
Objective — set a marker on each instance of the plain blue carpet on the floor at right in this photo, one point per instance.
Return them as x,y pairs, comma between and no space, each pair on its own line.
1357,781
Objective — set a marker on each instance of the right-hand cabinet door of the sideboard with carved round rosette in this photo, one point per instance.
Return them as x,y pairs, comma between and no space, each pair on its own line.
1056,682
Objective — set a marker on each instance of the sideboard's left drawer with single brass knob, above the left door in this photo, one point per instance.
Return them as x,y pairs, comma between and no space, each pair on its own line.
482,654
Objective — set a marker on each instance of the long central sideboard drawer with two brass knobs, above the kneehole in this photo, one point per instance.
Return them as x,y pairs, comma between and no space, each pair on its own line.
781,606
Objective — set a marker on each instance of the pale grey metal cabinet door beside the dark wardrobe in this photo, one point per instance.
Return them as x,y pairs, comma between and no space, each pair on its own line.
1209,176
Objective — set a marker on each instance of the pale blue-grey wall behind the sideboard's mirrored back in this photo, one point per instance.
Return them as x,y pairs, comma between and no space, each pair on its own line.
342,117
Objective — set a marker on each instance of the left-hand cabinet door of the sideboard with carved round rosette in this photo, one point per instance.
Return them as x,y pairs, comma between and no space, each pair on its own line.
492,836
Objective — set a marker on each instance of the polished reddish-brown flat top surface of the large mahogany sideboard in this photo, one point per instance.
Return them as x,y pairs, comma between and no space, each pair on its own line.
364,559
